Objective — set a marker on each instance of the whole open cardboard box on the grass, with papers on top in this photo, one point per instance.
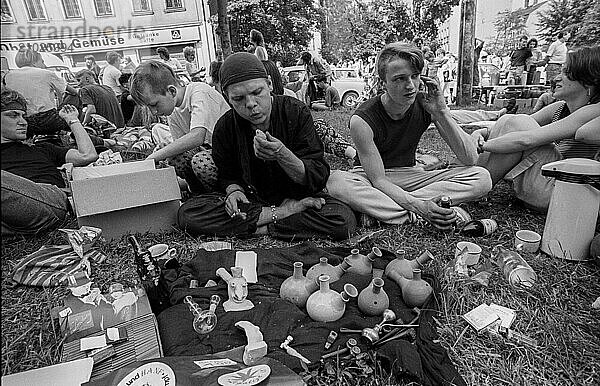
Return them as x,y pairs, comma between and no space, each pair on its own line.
139,201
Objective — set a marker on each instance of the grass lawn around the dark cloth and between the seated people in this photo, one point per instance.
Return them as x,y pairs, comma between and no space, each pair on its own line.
556,312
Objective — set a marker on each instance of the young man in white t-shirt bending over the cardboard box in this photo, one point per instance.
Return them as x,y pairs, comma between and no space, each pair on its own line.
192,111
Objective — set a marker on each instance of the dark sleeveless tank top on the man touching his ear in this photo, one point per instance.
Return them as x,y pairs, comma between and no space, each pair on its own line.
395,139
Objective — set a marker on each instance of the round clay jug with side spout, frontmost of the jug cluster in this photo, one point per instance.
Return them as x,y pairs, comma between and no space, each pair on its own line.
326,305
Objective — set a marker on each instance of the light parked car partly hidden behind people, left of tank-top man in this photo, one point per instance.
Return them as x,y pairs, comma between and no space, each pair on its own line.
345,80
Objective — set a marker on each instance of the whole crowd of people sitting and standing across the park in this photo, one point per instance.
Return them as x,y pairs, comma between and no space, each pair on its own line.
252,157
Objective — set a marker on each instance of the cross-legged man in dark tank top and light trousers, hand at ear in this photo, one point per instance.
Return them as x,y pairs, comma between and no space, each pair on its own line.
385,184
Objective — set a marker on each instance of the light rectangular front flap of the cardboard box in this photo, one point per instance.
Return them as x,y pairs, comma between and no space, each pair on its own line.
124,191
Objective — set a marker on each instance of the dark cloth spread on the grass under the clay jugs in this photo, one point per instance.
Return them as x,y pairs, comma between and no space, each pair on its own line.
425,361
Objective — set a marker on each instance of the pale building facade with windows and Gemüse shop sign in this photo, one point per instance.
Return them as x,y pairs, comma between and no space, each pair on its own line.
73,29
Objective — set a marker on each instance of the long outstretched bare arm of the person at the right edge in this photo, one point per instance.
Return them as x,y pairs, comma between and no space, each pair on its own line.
564,128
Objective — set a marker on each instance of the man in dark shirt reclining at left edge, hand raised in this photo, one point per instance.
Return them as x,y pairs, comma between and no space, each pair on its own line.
33,199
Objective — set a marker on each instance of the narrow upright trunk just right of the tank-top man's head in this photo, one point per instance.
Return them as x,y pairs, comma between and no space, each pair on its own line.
466,52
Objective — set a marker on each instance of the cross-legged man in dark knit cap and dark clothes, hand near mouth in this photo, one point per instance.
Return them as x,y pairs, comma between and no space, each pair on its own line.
270,166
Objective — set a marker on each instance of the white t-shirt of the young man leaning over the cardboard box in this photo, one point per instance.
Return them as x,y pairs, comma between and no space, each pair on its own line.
202,106
